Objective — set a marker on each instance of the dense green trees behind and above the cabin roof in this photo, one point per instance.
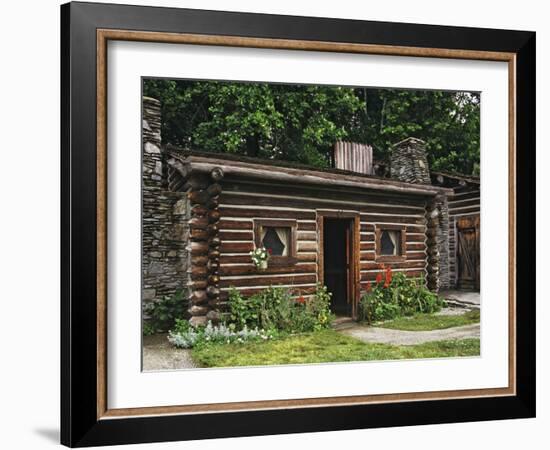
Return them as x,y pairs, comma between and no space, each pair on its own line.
301,123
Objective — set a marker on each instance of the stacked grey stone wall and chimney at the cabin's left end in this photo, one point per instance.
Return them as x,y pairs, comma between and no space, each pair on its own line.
164,217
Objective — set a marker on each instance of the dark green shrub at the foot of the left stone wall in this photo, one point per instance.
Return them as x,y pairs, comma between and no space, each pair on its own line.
164,313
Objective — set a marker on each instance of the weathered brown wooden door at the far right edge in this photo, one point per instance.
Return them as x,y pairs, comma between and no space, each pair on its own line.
468,257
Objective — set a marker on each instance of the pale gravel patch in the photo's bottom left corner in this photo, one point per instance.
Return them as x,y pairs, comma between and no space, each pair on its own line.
158,354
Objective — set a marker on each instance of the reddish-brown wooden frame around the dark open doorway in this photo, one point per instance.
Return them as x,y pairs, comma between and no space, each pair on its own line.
354,277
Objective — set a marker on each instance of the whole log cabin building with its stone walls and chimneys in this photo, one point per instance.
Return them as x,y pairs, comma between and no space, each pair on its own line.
204,212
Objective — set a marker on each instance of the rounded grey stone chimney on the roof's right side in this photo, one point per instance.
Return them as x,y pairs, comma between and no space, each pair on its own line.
409,162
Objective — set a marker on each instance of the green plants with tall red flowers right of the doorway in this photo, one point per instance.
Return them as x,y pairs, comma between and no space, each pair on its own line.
395,296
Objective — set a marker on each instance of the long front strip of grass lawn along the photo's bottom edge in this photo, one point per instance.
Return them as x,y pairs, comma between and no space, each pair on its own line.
323,346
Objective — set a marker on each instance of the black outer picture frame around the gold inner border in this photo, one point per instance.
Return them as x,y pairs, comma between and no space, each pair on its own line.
80,425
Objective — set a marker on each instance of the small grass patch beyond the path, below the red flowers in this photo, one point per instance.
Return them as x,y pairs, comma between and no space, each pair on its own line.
426,322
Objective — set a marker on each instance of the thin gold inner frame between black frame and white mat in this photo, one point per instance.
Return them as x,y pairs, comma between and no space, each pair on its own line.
104,35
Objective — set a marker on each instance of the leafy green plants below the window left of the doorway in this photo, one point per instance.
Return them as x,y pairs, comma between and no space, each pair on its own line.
275,308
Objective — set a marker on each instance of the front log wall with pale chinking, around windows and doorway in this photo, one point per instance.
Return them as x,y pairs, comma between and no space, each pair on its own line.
242,203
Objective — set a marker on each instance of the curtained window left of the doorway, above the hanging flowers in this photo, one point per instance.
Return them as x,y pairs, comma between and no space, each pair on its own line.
278,237
